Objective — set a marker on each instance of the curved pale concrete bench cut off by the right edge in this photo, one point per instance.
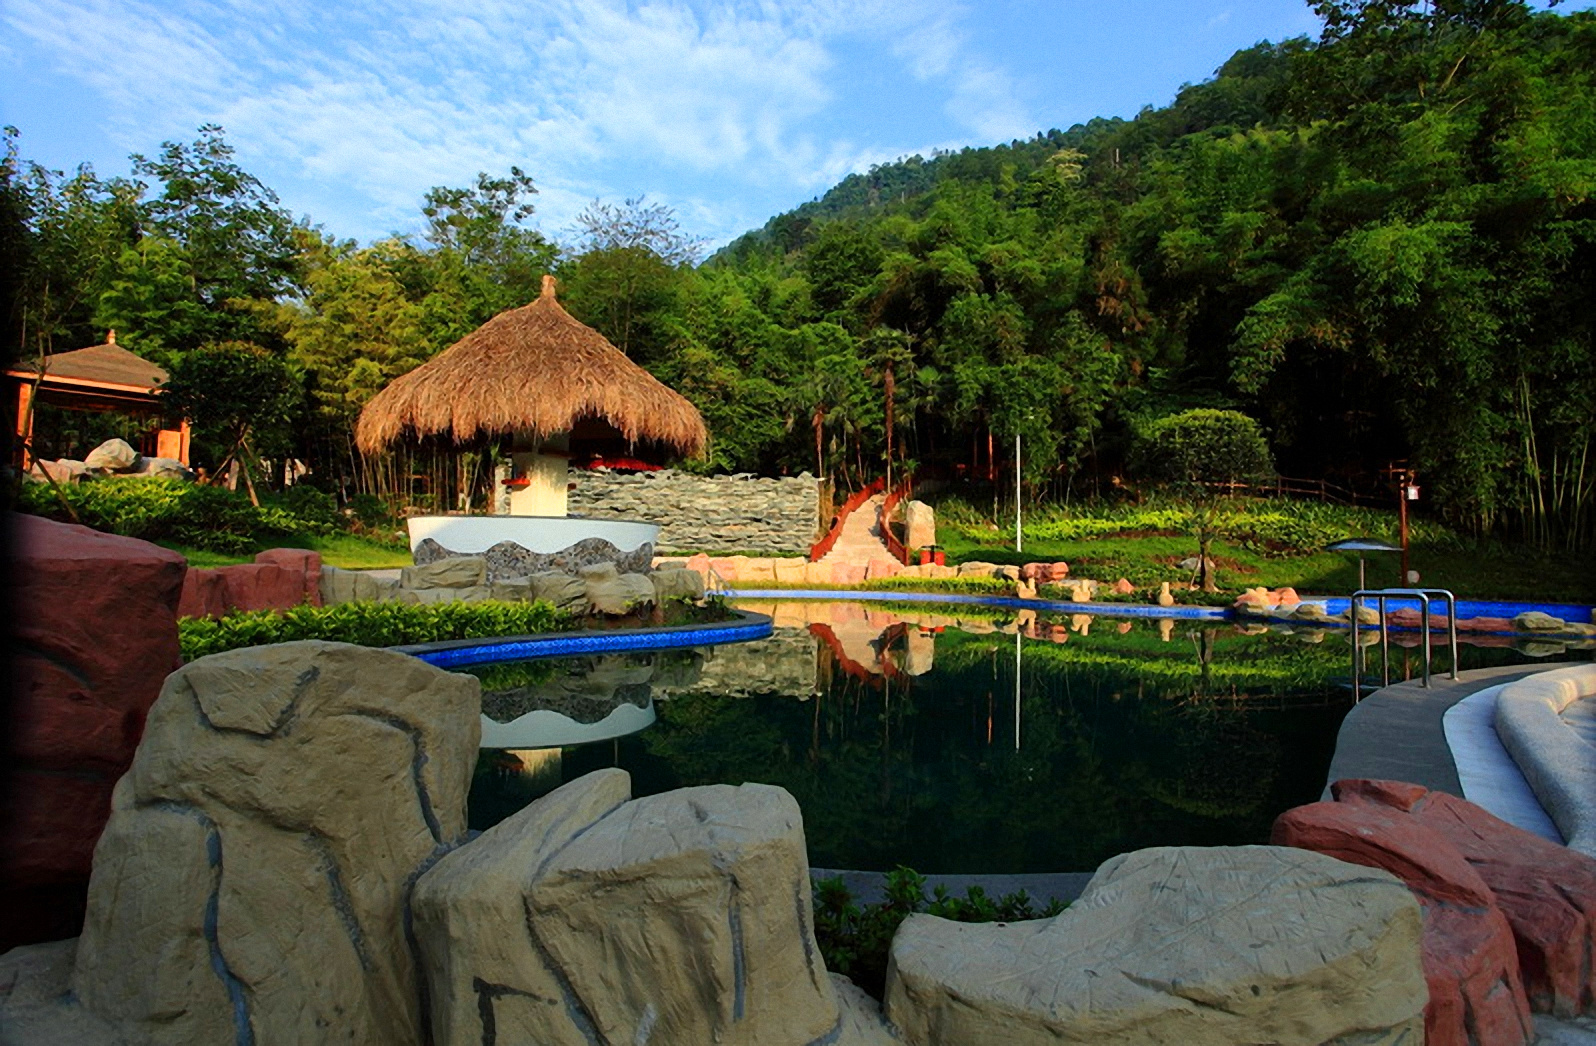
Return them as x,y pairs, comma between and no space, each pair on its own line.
1560,767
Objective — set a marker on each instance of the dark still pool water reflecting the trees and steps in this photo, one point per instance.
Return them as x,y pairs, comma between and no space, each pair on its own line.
950,743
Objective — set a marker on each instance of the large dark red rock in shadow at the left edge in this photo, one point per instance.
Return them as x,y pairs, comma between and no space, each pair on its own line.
95,622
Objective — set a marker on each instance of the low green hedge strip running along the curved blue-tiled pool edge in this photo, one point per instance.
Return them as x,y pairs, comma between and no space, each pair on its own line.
368,625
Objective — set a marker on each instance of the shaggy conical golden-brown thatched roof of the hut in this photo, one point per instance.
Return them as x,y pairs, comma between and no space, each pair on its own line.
537,371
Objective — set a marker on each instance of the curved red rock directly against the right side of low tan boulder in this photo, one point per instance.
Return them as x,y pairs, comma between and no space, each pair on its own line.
1471,964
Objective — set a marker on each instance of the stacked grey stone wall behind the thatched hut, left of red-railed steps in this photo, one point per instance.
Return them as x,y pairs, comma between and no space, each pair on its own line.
706,513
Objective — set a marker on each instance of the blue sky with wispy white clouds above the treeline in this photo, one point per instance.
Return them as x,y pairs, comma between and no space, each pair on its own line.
727,113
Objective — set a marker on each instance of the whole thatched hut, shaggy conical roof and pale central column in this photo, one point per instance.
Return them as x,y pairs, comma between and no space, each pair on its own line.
547,384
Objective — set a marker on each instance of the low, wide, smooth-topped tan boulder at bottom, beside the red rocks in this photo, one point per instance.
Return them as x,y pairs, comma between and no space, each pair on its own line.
1183,945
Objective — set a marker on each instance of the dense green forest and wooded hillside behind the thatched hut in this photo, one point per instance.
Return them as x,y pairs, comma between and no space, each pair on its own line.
1381,245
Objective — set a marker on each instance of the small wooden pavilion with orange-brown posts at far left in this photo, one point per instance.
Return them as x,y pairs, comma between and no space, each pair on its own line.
100,379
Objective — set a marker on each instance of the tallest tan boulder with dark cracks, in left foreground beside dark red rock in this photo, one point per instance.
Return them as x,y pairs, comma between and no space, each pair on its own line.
261,850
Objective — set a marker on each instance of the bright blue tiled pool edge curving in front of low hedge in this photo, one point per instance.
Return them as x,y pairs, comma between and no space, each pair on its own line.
464,652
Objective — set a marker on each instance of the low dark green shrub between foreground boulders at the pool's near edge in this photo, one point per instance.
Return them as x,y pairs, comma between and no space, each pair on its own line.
856,940
